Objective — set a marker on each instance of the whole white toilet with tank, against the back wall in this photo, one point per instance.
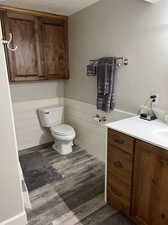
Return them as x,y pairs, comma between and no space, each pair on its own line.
53,118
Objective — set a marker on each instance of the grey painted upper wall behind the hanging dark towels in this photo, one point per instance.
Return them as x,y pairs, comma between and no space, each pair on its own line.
131,28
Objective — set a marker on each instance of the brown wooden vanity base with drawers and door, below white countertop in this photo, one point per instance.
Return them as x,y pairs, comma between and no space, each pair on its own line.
137,179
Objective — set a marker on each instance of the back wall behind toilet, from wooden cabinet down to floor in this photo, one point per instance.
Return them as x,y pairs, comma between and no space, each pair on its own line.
26,99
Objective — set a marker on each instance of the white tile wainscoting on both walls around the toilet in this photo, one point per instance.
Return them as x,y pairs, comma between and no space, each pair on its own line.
90,134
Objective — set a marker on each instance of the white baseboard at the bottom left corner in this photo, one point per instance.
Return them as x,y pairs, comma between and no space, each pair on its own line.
20,219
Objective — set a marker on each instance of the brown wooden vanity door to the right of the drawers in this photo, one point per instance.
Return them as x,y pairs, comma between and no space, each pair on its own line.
150,185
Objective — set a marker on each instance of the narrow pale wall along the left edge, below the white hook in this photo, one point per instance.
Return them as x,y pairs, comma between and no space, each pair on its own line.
10,188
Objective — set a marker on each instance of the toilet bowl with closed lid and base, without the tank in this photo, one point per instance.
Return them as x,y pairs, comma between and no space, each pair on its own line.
63,138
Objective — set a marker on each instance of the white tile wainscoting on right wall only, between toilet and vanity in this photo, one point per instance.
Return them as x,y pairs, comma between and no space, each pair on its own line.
90,134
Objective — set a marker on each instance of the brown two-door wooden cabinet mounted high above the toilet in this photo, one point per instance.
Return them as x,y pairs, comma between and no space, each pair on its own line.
42,41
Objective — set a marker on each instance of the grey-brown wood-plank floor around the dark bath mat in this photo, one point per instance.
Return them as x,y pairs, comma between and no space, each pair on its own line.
77,198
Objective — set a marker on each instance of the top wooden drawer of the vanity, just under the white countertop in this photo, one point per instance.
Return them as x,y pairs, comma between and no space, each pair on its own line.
122,141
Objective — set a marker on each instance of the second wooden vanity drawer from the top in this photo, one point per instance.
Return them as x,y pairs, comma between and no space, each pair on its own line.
119,163
